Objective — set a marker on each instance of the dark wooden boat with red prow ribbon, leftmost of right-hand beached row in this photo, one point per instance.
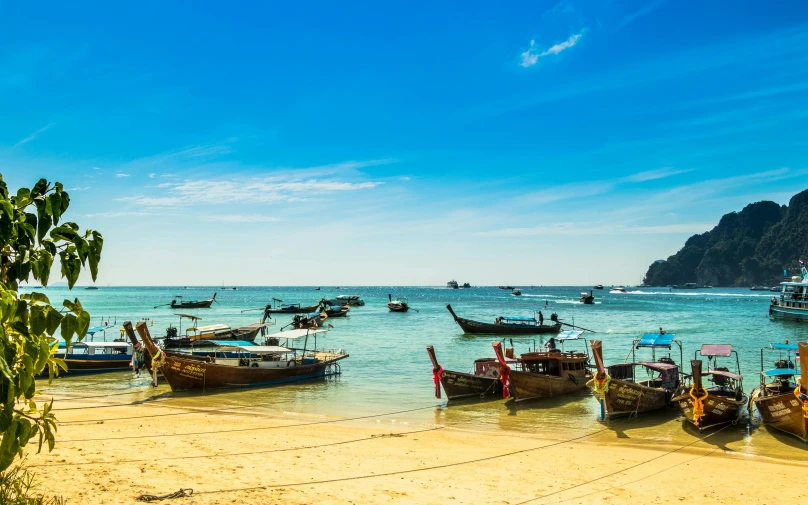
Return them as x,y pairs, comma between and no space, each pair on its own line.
484,382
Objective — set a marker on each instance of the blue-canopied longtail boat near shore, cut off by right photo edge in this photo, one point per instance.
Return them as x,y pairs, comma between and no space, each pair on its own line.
782,404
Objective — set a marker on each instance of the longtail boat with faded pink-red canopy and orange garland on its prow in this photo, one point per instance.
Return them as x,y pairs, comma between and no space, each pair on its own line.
722,403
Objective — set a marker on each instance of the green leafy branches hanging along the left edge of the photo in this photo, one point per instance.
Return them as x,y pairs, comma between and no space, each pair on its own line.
31,236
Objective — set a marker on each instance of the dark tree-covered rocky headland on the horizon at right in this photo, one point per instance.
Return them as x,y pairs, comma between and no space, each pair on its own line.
746,248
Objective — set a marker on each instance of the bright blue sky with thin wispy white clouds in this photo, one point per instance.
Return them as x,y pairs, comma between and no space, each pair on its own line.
402,143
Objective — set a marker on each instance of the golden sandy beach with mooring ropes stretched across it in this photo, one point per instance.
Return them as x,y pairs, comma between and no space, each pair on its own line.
109,451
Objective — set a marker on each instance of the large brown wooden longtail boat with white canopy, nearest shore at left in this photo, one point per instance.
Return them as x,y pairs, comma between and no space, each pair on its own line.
256,366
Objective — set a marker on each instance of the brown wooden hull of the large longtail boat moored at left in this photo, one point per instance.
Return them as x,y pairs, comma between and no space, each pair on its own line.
186,374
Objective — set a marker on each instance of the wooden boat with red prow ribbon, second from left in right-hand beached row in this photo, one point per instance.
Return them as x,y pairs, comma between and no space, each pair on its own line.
546,373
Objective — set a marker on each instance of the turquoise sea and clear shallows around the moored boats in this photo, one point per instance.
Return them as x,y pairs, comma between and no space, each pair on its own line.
388,371
